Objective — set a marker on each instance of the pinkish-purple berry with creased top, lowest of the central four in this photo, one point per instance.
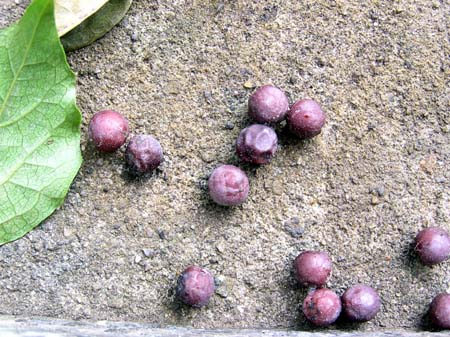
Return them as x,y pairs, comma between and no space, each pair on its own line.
228,185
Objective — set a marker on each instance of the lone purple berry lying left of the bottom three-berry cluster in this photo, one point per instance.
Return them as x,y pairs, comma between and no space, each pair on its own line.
195,286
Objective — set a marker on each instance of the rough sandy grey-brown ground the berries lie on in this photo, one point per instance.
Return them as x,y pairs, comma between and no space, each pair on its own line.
361,190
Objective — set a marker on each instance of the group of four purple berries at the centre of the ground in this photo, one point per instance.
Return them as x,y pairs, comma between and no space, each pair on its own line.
228,185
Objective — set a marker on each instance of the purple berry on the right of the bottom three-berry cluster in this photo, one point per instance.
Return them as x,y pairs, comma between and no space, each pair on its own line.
361,303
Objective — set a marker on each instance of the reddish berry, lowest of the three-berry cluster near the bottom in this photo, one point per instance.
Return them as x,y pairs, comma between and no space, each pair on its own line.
322,307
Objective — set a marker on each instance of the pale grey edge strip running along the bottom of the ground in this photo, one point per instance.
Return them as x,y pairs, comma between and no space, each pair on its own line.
48,327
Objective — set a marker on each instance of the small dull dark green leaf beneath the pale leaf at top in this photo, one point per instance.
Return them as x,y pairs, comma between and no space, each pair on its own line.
97,25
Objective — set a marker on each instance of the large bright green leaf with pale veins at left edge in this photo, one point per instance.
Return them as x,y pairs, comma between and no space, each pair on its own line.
39,122
